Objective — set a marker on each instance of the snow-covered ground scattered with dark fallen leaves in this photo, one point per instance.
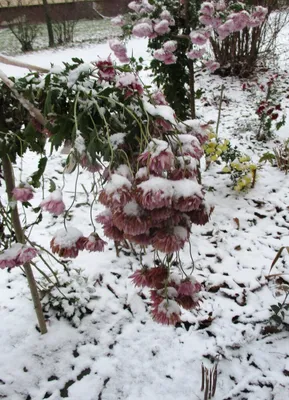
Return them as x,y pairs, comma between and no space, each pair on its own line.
117,352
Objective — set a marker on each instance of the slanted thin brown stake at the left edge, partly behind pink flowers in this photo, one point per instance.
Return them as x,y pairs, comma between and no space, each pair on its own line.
10,185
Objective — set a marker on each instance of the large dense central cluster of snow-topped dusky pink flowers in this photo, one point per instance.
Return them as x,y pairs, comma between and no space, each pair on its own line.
157,205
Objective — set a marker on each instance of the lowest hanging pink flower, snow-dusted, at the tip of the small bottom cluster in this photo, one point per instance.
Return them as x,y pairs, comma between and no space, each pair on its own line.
167,312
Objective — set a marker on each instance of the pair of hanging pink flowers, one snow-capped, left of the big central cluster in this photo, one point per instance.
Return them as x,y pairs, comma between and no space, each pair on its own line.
68,242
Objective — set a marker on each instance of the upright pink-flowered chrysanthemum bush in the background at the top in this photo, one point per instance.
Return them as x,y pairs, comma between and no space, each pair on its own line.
179,33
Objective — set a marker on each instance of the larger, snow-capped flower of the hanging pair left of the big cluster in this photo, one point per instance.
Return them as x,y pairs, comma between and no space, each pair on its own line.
67,243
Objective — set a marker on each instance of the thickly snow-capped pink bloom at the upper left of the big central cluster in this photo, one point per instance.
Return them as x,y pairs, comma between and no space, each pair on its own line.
117,192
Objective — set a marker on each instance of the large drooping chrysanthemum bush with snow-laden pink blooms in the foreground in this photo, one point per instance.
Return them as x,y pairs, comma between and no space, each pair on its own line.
146,161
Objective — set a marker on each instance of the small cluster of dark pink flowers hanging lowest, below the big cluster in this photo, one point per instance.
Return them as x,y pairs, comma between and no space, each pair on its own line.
168,293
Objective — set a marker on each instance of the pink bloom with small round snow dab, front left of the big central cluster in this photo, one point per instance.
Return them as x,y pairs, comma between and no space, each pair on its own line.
131,219
